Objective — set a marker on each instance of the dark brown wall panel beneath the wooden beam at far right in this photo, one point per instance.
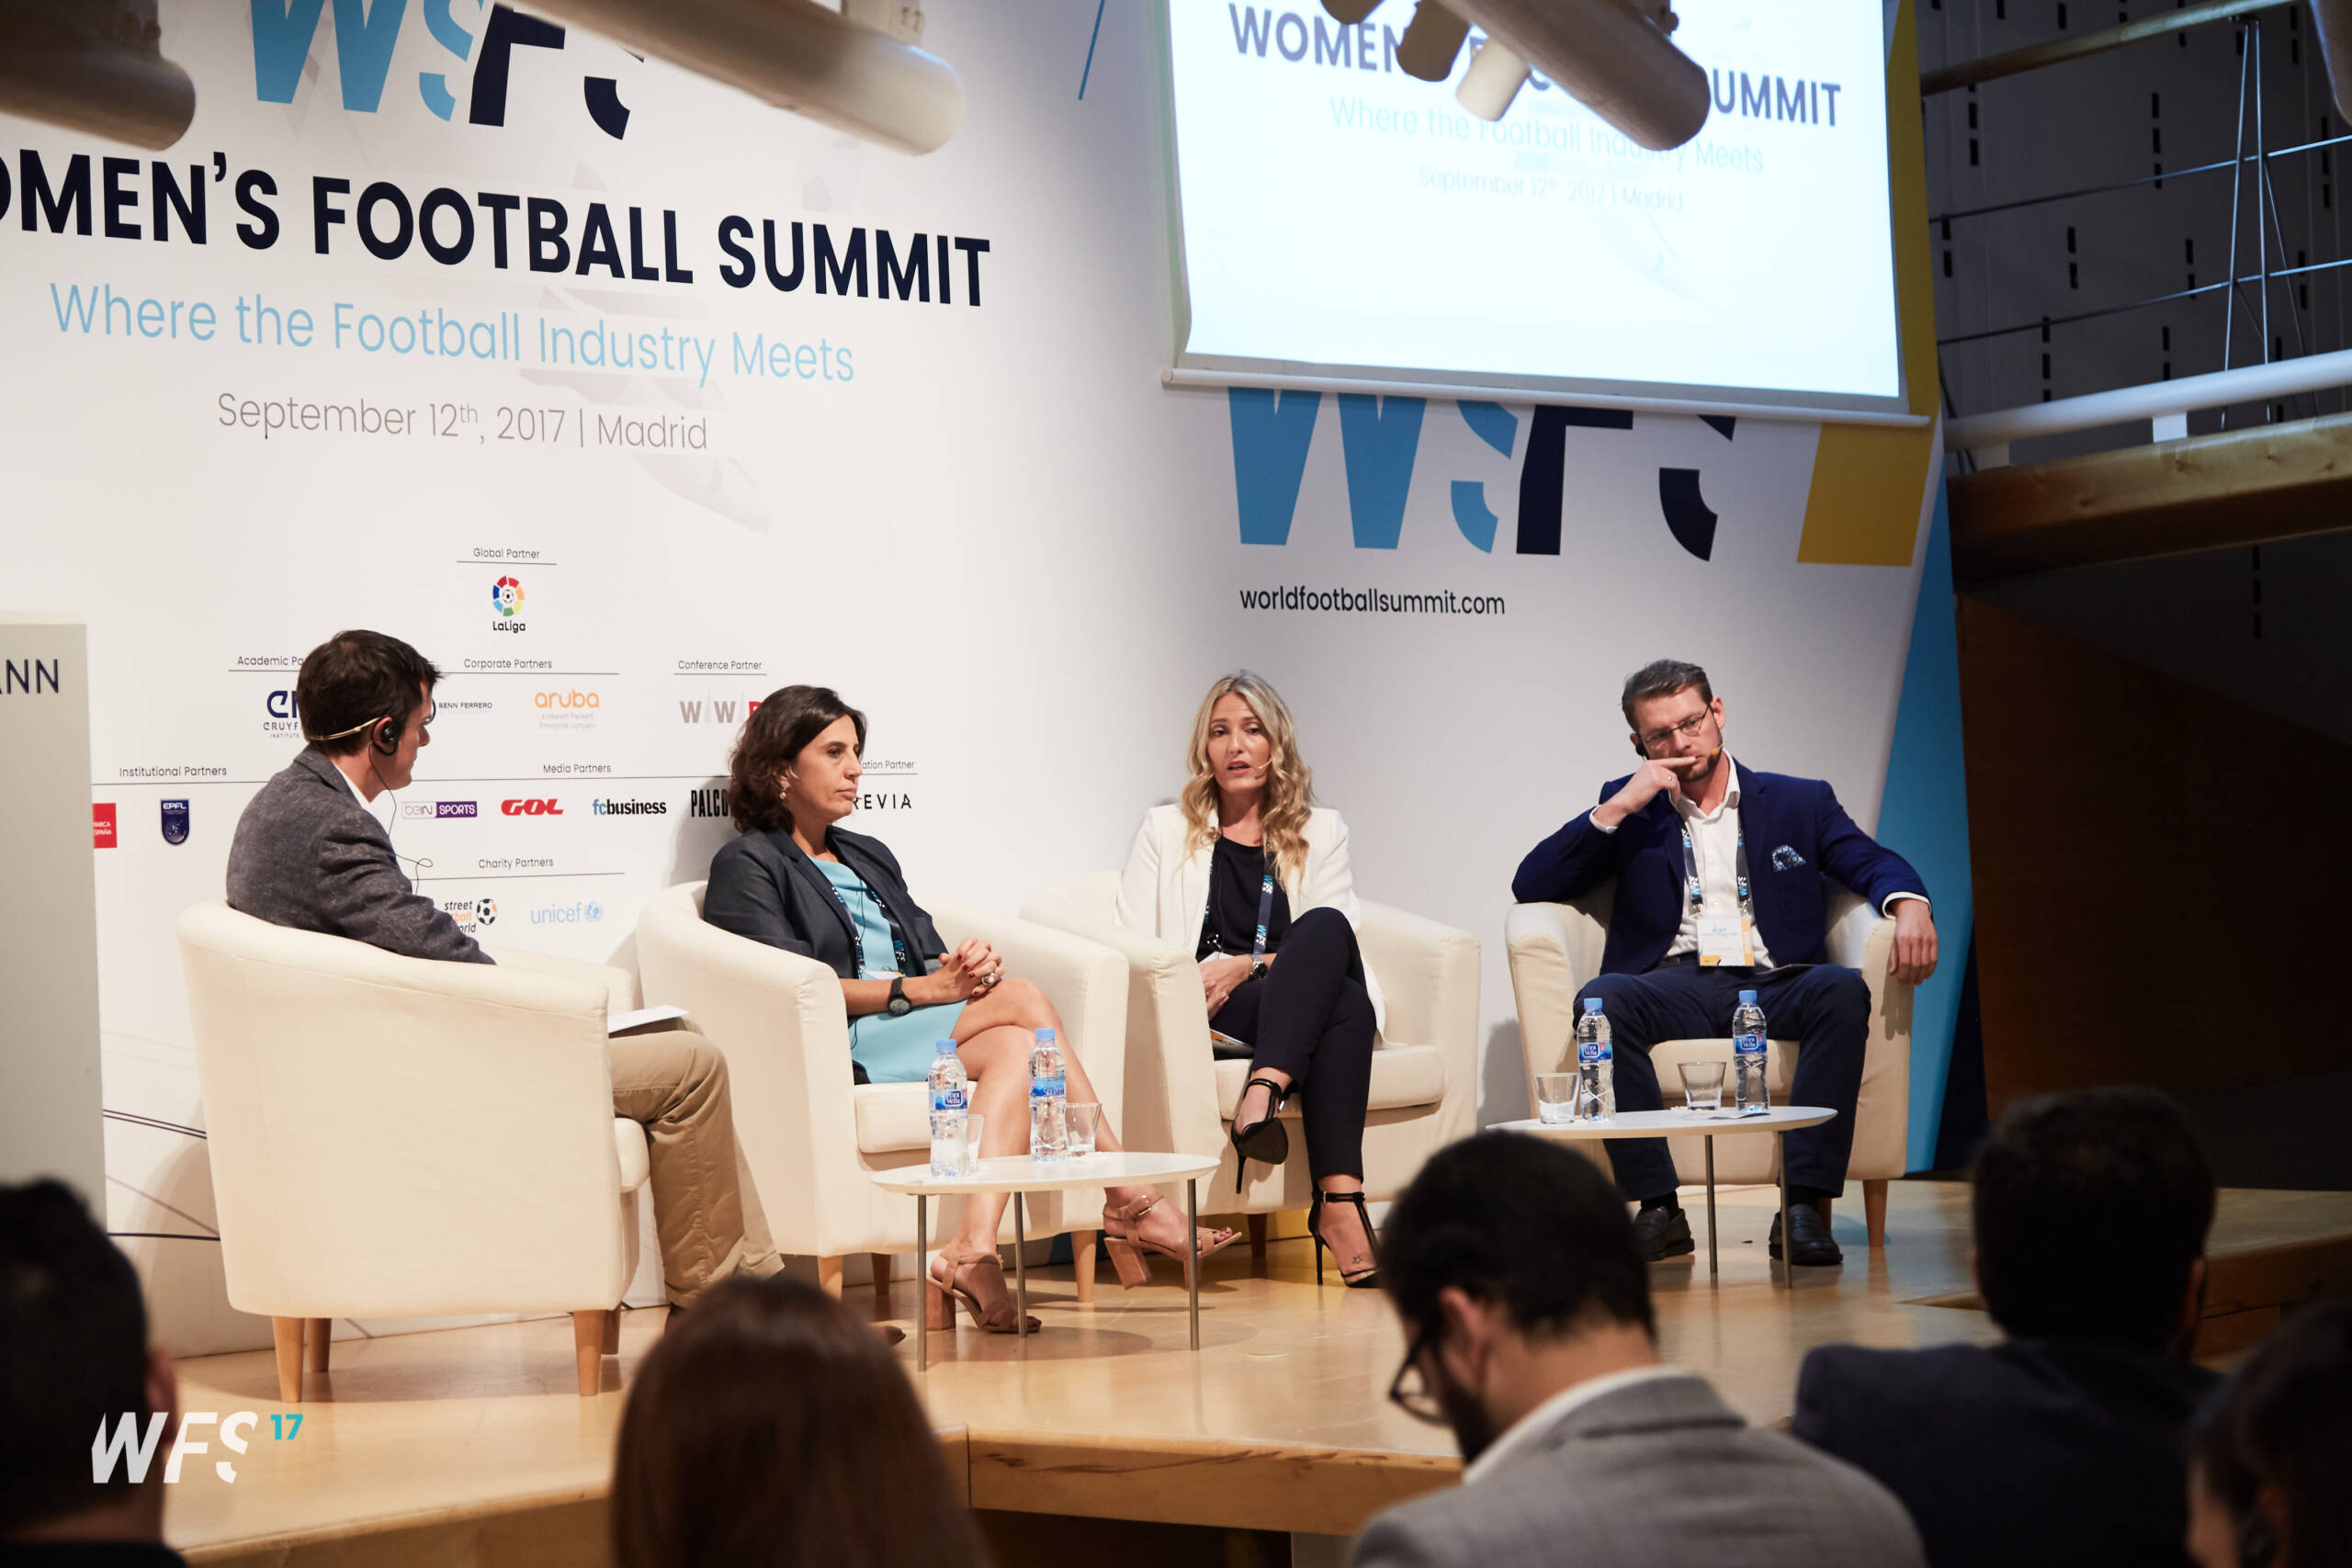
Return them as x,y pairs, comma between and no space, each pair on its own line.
2153,873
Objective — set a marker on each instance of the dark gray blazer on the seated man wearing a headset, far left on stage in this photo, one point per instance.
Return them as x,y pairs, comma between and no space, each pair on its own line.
309,857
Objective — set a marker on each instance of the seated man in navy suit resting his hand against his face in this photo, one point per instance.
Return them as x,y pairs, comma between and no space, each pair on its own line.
1718,890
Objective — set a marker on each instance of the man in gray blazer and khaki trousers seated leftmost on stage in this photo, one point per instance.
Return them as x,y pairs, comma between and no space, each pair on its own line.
312,855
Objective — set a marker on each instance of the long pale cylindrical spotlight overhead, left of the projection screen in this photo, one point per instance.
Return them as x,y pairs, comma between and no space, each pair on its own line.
838,69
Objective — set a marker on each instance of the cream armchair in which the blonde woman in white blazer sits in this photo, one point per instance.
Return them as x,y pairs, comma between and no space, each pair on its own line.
1182,1099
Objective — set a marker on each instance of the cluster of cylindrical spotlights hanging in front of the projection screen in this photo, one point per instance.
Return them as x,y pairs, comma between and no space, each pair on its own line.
1610,55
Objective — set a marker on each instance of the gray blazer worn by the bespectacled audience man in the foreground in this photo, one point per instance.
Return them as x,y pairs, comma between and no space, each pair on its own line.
1652,1475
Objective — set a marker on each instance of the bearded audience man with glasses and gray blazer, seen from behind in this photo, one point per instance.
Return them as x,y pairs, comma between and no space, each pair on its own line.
1523,1289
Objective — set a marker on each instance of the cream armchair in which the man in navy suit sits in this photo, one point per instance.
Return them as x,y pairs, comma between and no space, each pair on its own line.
1556,949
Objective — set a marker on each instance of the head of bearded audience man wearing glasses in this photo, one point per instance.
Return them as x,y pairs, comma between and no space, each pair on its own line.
1516,1271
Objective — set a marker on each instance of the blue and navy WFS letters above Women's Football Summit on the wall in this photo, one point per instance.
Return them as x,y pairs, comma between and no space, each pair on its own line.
363,55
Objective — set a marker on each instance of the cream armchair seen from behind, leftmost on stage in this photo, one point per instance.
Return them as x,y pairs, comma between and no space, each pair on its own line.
410,1139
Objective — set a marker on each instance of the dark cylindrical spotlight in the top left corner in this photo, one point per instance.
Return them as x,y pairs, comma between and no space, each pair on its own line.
93,67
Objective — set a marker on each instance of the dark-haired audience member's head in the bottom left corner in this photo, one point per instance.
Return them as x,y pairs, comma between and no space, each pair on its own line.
72,1355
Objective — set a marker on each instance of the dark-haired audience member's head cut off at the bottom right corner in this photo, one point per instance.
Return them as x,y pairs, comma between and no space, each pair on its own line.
2271,1466
